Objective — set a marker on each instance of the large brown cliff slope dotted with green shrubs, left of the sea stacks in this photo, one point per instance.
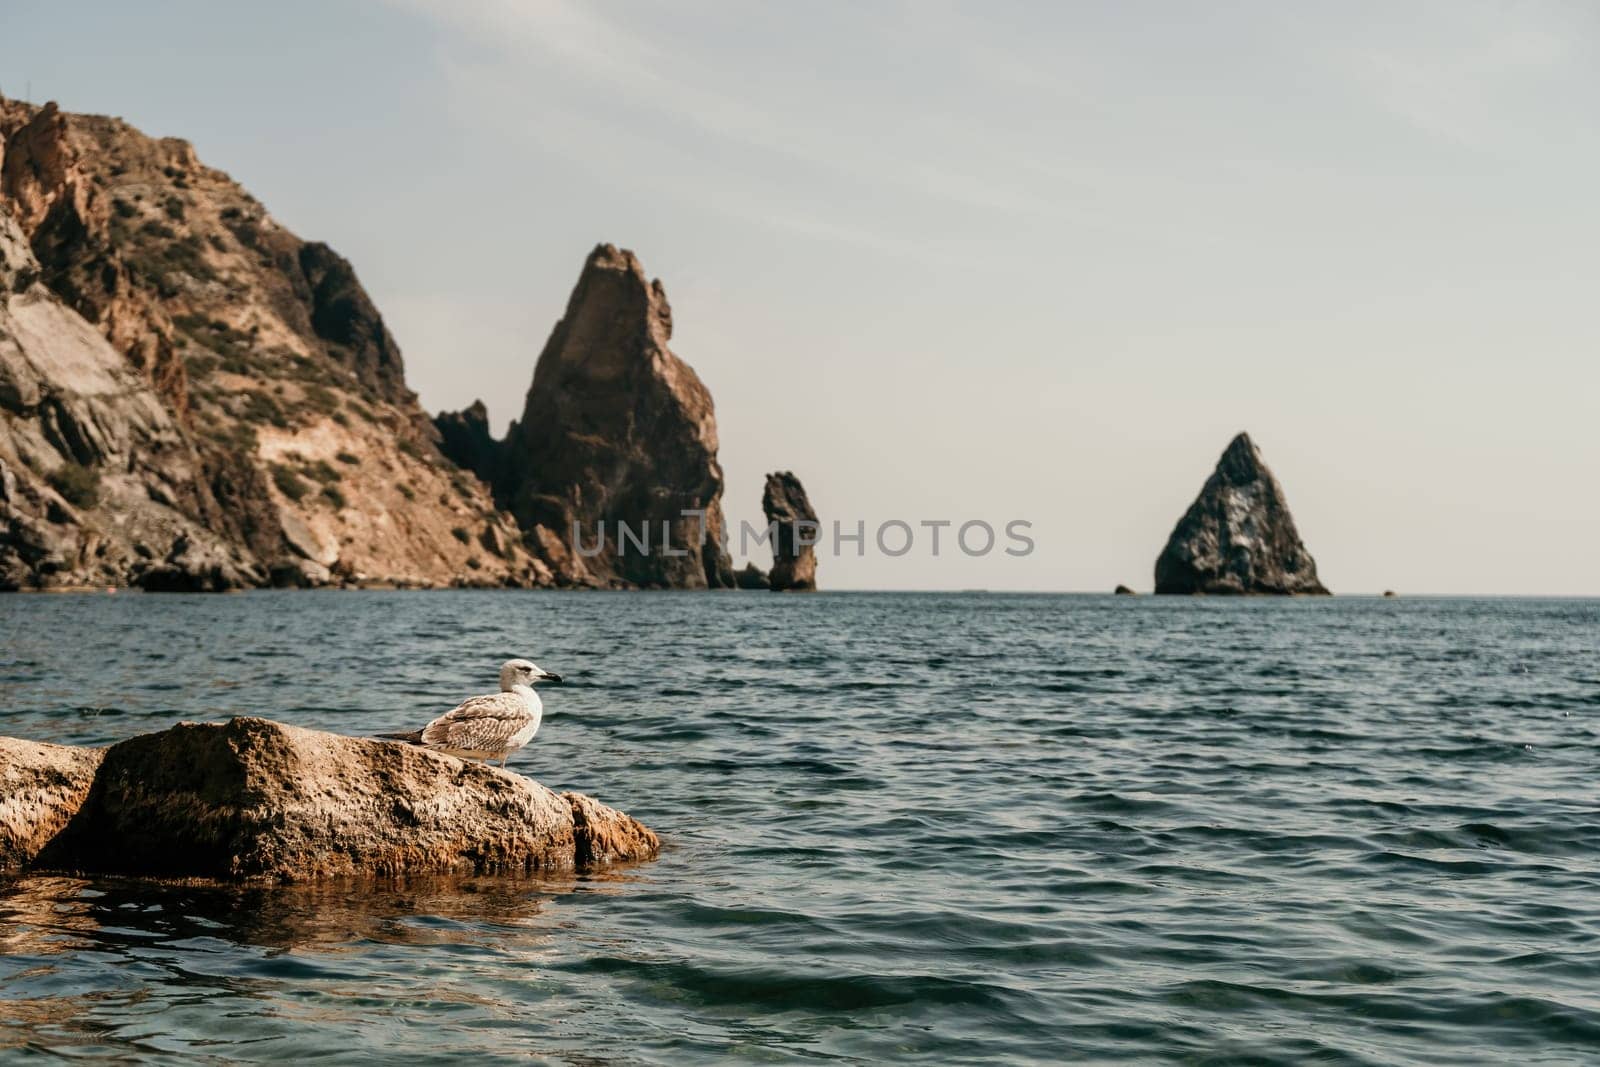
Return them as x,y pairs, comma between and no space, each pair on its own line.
191,354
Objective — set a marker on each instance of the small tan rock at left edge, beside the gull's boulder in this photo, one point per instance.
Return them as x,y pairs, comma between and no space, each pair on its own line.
42,786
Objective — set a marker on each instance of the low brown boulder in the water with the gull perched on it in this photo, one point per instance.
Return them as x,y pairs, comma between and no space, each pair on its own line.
252,799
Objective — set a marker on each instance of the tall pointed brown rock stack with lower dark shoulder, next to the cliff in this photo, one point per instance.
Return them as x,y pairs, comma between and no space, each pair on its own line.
612,470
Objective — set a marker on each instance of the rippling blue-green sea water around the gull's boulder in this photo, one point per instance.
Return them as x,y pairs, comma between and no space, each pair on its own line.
898,828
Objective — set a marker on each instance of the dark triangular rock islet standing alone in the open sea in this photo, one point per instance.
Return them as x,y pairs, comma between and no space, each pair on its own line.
1238,538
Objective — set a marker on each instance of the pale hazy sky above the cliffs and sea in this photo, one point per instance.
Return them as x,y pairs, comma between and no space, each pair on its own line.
970,262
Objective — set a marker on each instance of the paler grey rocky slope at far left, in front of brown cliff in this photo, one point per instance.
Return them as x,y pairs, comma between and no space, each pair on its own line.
98,481
